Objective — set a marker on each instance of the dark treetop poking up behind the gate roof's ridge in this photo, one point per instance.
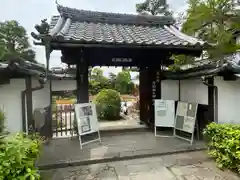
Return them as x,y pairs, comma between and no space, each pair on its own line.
153,7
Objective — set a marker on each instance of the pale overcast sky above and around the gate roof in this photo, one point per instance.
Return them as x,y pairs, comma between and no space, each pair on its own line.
31,12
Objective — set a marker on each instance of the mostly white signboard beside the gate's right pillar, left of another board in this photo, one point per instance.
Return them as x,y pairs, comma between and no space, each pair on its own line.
164,113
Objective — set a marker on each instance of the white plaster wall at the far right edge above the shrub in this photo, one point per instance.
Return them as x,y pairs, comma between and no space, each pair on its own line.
228,100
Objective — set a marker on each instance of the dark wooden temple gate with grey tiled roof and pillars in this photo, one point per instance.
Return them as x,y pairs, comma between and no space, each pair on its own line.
108,39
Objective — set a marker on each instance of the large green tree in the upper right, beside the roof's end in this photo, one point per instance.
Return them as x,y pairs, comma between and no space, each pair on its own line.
213,21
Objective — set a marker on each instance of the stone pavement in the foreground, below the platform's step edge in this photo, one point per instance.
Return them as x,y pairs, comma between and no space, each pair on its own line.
187,166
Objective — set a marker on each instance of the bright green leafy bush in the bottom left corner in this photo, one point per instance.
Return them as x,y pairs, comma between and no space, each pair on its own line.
18,155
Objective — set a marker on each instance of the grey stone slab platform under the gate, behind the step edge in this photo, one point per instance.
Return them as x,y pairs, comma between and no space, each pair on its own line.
124,145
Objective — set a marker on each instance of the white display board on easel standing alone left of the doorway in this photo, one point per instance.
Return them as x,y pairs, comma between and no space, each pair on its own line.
87,122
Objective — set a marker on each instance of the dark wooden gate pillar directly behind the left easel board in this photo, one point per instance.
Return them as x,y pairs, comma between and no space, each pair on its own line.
82,80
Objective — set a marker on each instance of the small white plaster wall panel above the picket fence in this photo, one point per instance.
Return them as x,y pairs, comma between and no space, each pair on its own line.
59,85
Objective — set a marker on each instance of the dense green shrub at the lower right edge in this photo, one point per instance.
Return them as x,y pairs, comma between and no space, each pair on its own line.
224,144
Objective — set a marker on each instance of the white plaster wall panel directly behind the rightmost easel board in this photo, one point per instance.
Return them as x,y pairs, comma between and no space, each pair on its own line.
193,90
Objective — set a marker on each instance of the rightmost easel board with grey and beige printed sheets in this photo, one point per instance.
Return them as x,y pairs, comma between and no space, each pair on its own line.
185,119
